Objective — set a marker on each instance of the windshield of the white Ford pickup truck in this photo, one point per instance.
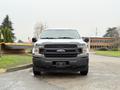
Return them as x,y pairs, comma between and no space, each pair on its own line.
60,34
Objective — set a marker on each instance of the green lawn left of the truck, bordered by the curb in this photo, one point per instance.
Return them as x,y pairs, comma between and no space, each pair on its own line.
8,61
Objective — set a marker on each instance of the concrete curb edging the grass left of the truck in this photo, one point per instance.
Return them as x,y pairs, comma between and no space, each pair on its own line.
19,68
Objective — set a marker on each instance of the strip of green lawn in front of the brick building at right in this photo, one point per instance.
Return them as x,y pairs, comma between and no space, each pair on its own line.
109,53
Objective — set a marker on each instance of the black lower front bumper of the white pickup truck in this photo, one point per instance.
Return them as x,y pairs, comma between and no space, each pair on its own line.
60,64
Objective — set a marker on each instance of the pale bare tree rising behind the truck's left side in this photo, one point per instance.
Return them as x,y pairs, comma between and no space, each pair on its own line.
39,27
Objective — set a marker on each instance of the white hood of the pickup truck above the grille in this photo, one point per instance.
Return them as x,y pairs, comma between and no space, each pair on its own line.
61,41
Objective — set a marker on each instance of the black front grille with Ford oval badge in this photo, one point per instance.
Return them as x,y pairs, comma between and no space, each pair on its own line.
68,50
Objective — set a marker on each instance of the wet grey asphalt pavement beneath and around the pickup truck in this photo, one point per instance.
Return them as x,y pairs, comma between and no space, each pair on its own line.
104,74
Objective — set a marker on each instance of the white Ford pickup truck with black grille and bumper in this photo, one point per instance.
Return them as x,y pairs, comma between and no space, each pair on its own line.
60,50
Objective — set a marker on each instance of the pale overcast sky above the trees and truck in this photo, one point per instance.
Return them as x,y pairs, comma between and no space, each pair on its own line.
84,15
